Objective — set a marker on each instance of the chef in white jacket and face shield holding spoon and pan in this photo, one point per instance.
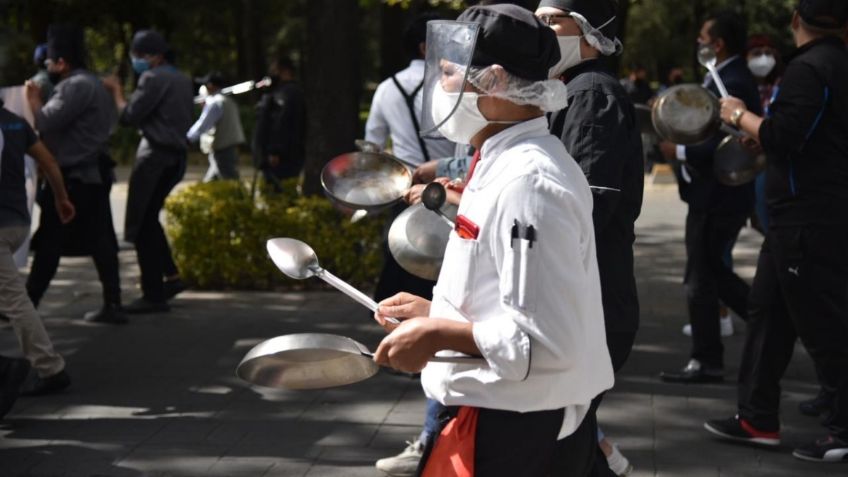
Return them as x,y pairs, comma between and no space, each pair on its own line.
519,284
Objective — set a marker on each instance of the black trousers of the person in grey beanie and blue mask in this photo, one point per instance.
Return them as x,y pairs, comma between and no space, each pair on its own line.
151,246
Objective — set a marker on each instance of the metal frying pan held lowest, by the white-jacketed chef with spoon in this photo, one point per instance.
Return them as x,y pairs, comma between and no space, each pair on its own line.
315,361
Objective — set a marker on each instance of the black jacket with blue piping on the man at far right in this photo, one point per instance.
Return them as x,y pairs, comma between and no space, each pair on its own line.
806,139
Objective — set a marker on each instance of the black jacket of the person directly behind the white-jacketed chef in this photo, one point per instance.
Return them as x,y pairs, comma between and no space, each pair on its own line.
598,128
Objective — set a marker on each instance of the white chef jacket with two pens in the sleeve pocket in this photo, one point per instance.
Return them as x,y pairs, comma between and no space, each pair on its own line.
536,310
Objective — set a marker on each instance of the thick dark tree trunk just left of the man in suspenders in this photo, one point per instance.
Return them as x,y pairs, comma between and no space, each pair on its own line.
331,84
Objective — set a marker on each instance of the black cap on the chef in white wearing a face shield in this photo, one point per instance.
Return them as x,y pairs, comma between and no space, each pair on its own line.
511,36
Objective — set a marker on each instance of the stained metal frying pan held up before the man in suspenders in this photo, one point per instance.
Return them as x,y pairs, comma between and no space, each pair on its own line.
368,181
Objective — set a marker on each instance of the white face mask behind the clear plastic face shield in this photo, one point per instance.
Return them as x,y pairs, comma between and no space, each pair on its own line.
465,122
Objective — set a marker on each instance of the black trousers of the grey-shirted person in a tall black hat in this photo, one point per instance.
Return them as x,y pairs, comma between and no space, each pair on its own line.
92,226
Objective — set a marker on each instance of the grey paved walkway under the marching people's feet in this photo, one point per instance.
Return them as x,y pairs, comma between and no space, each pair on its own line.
158,397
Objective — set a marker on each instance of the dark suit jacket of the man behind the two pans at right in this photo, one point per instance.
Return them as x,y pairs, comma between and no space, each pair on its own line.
705,194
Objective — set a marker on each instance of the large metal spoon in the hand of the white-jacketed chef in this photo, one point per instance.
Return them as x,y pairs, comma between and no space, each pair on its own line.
297,260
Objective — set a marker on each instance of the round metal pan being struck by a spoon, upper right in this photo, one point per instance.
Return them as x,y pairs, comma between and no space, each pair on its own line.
686,114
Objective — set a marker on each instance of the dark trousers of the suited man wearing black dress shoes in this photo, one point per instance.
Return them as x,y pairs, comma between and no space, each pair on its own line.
708,279
